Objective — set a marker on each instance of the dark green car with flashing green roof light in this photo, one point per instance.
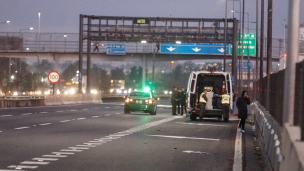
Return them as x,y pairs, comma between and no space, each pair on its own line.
140,101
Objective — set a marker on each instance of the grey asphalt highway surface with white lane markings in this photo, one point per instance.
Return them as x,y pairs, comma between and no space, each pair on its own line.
98,137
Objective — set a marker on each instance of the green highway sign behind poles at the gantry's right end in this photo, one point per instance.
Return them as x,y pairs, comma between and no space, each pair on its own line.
249,42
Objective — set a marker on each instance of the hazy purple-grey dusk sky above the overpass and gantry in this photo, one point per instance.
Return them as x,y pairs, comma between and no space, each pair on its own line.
62,16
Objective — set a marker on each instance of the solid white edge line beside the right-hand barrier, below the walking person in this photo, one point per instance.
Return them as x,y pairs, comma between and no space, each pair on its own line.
238,162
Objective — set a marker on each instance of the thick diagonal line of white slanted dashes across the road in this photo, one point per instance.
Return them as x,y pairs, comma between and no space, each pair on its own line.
54,156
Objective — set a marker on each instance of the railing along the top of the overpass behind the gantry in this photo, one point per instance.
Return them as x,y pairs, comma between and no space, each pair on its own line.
69,42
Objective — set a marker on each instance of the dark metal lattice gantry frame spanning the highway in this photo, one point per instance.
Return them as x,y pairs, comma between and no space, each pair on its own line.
154,30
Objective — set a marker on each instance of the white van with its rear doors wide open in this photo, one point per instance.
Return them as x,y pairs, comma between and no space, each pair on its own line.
215,83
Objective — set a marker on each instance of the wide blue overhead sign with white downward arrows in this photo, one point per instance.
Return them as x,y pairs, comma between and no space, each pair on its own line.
194,48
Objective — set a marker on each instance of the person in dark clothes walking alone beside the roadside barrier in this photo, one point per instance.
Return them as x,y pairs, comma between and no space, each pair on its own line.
241,104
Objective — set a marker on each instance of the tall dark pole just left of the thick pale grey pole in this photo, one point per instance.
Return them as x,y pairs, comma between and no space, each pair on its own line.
269,52
